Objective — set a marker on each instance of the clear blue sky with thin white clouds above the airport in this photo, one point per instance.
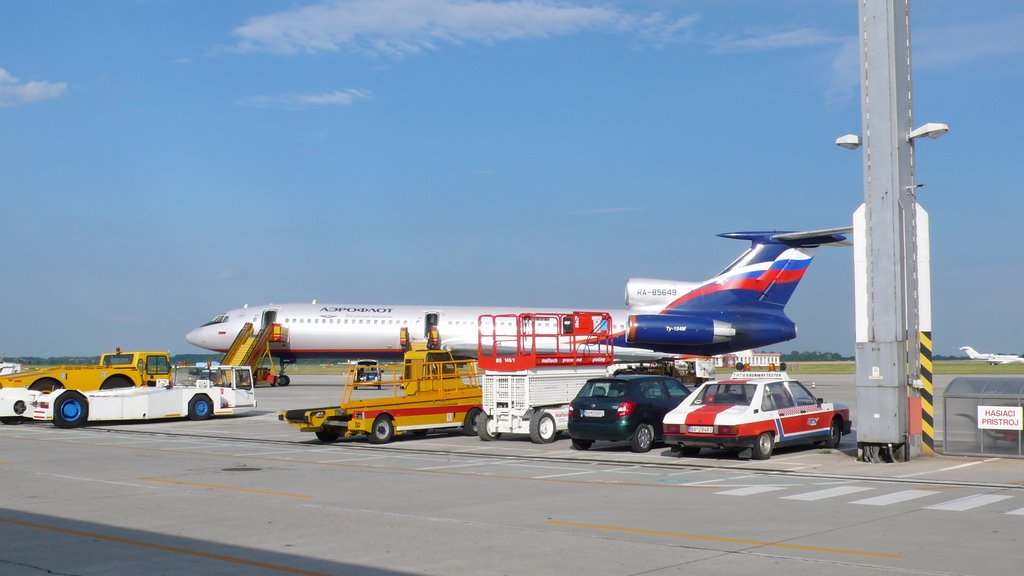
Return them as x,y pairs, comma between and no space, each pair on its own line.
165,161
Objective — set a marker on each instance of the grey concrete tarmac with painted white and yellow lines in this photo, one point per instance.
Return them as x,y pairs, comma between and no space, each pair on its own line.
251,496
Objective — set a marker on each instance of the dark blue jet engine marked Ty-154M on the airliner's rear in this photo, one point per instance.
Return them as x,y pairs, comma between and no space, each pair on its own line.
679,331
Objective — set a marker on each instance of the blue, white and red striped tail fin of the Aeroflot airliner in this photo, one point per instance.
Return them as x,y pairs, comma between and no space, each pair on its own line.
766,275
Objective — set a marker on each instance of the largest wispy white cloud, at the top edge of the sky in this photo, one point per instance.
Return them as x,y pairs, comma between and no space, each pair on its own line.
399,28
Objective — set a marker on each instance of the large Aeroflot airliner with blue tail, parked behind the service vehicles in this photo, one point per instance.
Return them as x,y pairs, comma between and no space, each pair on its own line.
743,308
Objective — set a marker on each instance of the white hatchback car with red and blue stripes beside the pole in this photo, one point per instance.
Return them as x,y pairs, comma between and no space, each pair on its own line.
756,413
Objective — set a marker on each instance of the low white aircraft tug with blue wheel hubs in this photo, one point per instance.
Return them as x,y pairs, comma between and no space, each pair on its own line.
196,393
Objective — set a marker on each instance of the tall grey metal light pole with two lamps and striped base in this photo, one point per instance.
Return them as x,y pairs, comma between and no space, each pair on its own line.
890,244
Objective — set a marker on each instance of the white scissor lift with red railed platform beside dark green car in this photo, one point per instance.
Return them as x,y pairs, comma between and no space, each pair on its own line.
535,365
